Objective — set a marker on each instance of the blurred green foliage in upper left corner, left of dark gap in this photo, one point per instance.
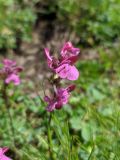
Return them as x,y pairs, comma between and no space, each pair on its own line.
16,20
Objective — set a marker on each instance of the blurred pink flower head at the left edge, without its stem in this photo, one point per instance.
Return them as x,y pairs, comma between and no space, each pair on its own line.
10,72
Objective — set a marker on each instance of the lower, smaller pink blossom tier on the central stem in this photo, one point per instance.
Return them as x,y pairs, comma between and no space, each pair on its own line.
61,97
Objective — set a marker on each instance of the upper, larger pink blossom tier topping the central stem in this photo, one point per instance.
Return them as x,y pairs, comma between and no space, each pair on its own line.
64,67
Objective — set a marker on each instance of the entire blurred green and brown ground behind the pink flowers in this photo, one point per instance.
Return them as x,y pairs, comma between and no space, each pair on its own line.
91,121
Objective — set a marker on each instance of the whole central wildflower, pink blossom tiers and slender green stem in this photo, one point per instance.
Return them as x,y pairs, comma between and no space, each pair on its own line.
64,68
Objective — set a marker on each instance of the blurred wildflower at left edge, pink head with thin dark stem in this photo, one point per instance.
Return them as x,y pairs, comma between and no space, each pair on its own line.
9,73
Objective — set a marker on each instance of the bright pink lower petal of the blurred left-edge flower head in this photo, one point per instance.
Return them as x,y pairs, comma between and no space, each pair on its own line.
13,78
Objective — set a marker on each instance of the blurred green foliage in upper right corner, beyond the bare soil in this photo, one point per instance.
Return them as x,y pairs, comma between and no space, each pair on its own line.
94,21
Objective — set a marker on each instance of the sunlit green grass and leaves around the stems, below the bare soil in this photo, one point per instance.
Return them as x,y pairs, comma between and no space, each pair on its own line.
86,129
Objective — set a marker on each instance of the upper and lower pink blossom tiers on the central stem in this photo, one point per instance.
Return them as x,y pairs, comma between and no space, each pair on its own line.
64,67
